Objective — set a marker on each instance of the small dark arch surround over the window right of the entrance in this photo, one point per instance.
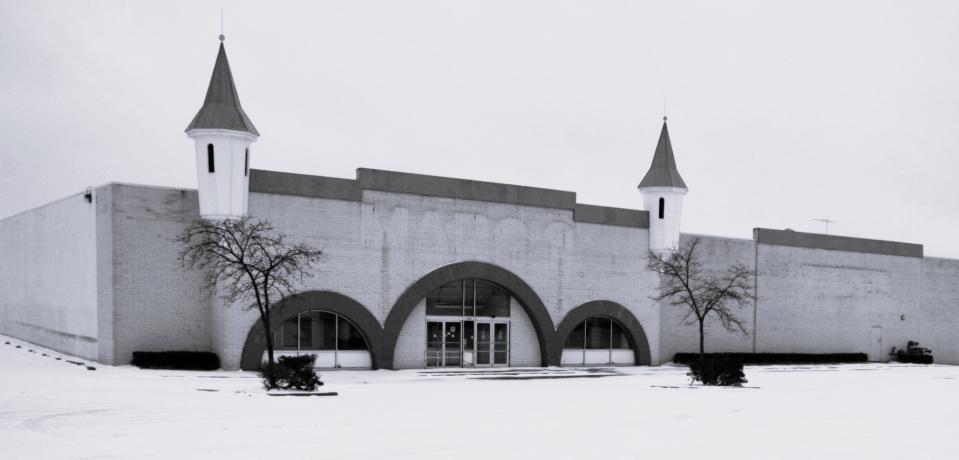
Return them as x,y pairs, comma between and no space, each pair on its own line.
576,316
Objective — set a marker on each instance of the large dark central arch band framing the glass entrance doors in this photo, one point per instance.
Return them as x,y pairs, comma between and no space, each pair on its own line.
528,299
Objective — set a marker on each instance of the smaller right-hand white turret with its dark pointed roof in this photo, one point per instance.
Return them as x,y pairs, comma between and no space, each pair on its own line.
663,190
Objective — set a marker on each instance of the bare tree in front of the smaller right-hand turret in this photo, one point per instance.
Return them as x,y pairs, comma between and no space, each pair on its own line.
684,284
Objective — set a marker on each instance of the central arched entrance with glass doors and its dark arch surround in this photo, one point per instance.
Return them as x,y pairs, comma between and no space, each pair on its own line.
474,313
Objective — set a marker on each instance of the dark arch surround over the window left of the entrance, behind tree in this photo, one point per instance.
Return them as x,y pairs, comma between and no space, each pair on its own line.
330,301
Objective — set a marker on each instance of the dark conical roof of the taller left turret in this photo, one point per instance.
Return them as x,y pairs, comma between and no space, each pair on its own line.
221,108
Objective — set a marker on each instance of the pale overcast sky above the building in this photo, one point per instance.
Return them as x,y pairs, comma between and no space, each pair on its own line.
778,113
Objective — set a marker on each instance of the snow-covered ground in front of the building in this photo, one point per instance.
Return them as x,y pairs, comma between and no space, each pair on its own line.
56,409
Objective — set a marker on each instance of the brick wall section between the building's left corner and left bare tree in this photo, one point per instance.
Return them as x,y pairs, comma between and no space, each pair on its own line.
157,304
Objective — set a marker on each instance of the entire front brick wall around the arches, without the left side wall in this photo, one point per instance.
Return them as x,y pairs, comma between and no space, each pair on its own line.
811,300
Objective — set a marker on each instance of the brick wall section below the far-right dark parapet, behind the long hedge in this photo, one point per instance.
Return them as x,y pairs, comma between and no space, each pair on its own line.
821,301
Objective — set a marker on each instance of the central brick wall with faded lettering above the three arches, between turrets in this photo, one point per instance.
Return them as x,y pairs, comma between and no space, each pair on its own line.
377,248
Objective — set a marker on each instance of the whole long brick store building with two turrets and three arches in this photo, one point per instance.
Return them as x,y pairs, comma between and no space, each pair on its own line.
424,271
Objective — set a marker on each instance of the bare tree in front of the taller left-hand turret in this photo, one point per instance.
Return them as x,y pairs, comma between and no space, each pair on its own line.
249,263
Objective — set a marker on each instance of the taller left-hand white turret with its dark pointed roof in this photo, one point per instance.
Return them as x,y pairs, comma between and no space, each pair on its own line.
222,133
